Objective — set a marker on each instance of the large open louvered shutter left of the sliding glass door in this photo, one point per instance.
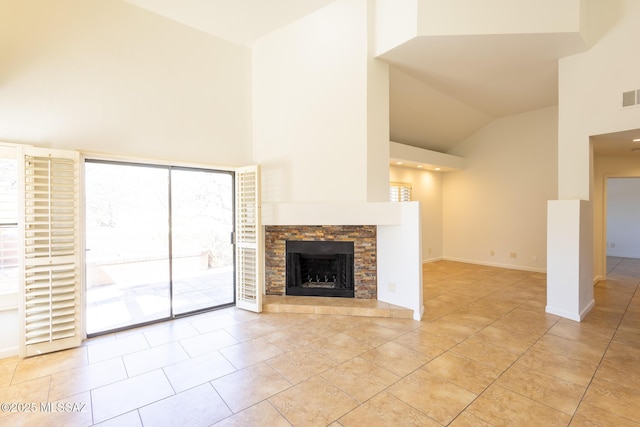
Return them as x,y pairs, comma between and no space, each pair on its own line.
50,303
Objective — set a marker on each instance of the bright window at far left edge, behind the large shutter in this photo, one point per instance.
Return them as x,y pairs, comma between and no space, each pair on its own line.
8,220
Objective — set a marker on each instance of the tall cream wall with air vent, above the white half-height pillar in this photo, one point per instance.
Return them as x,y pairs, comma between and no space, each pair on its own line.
591,84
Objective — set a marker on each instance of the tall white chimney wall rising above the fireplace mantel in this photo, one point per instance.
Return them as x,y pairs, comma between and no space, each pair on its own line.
310,107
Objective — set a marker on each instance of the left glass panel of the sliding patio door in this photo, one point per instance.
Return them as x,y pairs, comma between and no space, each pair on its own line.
127,244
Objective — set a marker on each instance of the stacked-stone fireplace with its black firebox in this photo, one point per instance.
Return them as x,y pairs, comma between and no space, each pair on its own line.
332,259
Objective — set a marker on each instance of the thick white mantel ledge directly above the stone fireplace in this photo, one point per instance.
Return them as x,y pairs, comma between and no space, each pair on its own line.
337,213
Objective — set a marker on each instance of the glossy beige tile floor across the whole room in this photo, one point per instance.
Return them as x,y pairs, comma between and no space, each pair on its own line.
485,354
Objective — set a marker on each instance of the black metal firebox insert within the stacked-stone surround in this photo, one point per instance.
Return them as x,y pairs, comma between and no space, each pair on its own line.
320,268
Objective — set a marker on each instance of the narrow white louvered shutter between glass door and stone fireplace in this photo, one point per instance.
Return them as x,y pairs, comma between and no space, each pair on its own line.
249,250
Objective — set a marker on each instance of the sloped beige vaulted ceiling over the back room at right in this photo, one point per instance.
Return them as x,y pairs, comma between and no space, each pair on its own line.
445,88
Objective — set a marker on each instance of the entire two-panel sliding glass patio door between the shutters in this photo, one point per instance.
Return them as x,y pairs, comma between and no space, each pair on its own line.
158,243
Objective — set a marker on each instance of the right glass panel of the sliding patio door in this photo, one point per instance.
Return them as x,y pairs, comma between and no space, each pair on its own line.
201,229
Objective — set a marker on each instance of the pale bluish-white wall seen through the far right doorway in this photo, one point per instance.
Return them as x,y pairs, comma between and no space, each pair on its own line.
623,217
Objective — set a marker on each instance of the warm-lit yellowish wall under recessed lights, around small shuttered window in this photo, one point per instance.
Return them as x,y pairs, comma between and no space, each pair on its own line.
426,188
